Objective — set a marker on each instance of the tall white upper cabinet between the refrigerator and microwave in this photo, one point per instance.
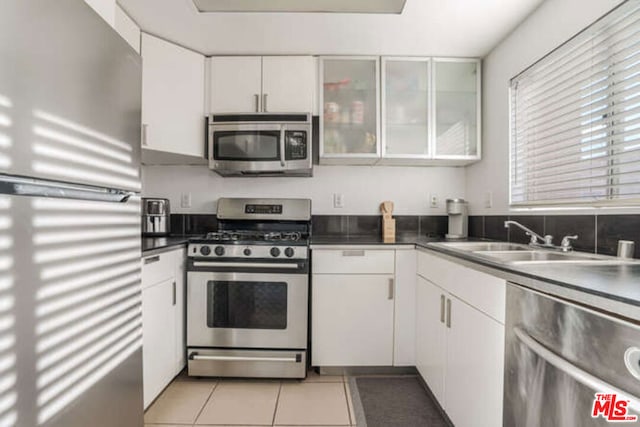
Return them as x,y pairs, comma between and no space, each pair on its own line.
172,99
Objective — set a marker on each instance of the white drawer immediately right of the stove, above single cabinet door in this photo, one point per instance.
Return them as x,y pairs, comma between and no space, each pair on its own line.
353,261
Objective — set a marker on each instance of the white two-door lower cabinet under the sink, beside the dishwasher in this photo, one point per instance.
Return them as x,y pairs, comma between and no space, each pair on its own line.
460,339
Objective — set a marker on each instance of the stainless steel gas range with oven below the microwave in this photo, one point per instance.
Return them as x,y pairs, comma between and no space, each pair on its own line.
247,291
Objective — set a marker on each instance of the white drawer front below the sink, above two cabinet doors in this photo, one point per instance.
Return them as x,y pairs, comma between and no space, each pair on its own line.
483,291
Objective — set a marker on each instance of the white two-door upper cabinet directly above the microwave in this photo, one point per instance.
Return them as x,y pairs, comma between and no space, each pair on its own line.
254,84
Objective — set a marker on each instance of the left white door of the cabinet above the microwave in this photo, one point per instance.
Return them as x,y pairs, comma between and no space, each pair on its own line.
236,84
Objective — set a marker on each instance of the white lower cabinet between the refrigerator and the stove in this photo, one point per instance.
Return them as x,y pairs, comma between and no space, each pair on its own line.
163,320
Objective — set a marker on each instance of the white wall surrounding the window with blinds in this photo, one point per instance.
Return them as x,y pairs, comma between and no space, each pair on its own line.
550,25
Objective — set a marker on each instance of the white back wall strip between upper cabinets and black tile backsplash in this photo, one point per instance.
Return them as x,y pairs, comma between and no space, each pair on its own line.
364,187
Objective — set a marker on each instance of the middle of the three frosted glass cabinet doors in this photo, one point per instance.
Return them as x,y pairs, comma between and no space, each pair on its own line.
405,108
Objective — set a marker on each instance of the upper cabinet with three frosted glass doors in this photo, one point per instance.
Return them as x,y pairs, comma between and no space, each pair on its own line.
399,110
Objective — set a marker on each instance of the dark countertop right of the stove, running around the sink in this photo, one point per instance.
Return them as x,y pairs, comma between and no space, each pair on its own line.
613,288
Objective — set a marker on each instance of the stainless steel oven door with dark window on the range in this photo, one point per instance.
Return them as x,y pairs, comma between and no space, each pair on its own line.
247,310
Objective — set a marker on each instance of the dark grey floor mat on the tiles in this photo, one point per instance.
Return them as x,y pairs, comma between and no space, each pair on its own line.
396,402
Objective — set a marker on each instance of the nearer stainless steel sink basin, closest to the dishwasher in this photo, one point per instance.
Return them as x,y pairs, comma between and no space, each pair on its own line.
546,256
